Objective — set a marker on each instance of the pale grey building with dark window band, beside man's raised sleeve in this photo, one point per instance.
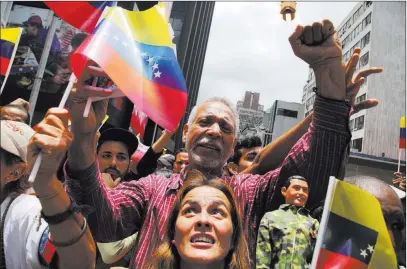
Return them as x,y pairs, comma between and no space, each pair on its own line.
282,117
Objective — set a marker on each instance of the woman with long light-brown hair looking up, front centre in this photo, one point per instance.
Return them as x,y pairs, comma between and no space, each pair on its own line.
204,228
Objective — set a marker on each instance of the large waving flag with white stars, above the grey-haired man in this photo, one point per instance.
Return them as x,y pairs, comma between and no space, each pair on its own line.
135,50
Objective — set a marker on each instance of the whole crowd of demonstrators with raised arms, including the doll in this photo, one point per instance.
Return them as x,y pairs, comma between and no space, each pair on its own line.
220,202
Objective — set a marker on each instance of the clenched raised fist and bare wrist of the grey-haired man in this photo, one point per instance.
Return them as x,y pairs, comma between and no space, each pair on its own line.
319,46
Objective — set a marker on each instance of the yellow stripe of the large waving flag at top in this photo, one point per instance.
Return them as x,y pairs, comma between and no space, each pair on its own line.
148,27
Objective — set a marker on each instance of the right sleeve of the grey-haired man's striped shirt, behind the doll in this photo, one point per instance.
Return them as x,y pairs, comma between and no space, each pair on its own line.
320,153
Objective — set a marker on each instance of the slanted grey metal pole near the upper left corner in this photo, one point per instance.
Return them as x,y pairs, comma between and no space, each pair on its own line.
44,57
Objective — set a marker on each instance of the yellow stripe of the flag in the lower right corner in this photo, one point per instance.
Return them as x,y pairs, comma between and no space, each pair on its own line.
361,207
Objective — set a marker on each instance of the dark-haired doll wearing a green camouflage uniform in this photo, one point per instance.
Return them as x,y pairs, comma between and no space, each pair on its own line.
287,236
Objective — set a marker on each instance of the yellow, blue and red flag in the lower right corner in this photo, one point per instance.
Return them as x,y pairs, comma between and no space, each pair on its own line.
355,235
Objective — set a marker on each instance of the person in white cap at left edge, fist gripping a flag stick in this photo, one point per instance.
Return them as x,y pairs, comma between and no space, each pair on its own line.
42,231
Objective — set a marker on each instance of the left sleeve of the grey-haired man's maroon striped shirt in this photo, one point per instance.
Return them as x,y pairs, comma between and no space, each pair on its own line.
117,213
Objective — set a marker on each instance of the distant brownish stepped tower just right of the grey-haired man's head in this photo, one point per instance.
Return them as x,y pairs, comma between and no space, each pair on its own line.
250,111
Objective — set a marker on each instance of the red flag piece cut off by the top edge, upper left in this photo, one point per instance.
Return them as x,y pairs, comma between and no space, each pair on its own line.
82,15
